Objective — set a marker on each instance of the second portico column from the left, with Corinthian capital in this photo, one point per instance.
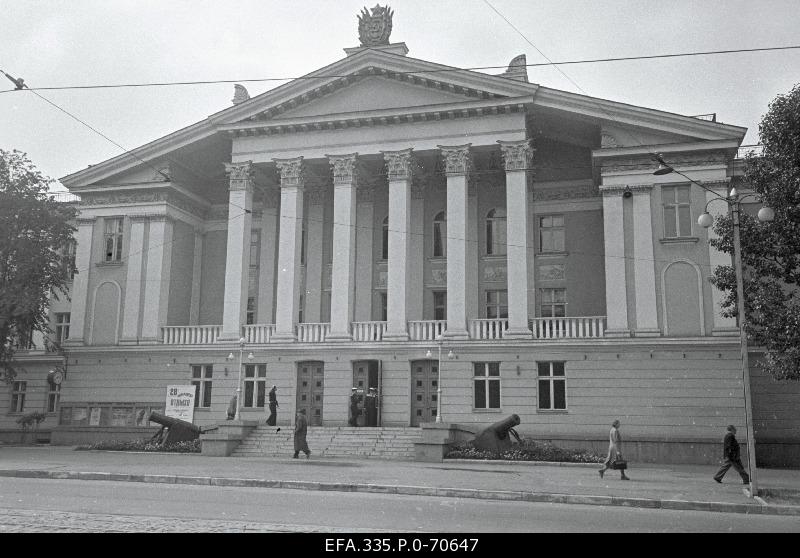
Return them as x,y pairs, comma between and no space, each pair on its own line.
289,246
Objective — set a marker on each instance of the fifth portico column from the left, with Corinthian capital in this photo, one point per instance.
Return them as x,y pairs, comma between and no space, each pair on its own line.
458,164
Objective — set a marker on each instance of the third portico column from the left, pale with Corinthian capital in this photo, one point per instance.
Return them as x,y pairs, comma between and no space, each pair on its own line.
345,184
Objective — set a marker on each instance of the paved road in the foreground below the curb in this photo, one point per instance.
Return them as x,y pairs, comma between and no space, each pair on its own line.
44,505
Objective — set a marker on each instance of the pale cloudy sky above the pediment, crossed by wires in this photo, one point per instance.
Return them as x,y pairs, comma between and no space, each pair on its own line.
87,42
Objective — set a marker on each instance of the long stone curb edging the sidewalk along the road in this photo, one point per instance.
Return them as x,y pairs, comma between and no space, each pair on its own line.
520,496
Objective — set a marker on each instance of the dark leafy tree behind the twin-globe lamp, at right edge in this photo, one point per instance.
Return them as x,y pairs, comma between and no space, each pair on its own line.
770,251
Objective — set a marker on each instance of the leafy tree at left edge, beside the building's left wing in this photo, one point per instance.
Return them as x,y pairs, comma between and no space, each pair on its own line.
34,231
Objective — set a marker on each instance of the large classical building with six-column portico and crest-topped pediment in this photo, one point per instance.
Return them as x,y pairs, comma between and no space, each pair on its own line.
354,222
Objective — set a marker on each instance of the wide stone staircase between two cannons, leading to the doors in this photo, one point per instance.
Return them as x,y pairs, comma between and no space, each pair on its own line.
334,441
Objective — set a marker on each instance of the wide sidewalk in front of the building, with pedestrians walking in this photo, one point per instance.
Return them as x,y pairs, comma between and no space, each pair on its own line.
687,487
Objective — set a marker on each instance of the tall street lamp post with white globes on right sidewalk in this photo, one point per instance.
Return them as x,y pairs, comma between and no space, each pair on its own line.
706,220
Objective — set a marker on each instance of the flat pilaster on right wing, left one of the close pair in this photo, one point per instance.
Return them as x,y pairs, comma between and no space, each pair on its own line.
614,246
